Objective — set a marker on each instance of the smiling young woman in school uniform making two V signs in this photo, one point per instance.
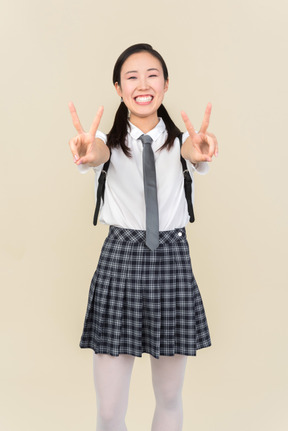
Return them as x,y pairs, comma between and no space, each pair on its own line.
142,298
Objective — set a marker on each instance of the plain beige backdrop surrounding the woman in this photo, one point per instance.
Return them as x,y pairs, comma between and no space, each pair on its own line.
232,53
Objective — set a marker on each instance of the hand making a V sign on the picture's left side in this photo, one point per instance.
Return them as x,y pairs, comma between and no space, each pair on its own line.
83,146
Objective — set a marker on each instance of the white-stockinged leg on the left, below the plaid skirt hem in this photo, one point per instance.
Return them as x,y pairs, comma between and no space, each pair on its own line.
112,381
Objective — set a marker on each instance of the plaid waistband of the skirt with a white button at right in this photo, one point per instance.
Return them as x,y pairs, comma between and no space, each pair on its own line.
139,236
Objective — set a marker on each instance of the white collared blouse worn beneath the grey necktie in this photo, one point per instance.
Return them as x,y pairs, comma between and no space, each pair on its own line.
124,204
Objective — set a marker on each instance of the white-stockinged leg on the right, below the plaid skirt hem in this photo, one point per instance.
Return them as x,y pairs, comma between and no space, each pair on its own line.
168,376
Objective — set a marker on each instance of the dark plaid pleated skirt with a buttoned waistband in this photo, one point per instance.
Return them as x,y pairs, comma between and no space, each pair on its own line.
143,301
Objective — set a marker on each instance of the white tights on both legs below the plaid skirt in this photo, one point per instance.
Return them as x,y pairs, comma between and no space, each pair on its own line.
112,380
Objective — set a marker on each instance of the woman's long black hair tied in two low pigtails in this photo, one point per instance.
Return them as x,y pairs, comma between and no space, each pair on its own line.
117,135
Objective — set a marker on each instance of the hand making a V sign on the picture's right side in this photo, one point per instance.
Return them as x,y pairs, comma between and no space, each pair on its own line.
201,146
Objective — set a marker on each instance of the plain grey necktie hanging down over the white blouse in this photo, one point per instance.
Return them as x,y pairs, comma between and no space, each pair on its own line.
150,192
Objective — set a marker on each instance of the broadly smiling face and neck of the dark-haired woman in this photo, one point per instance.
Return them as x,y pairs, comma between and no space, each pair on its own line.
142,87
